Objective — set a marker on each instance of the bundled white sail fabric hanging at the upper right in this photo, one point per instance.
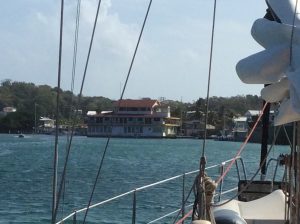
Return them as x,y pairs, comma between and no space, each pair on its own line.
277,64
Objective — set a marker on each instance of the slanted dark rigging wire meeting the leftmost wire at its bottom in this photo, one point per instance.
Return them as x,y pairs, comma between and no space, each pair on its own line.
76,112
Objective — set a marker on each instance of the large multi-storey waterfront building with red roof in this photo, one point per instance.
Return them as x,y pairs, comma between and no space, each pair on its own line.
134,118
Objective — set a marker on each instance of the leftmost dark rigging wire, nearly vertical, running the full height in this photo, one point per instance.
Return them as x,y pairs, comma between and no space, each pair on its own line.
55,162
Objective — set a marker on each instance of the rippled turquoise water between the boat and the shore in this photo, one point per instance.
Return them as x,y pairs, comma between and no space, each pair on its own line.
26,175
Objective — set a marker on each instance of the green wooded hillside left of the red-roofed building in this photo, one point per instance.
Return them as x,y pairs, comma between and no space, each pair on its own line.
40,101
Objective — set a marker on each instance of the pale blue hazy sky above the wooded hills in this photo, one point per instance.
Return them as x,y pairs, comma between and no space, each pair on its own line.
172,60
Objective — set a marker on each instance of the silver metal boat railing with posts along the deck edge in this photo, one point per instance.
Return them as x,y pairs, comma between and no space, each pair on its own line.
184,204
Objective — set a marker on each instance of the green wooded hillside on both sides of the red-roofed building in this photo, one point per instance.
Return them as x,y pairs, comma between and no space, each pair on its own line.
30,100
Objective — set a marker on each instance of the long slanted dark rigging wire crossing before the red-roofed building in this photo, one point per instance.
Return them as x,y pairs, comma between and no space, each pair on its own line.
121,97
